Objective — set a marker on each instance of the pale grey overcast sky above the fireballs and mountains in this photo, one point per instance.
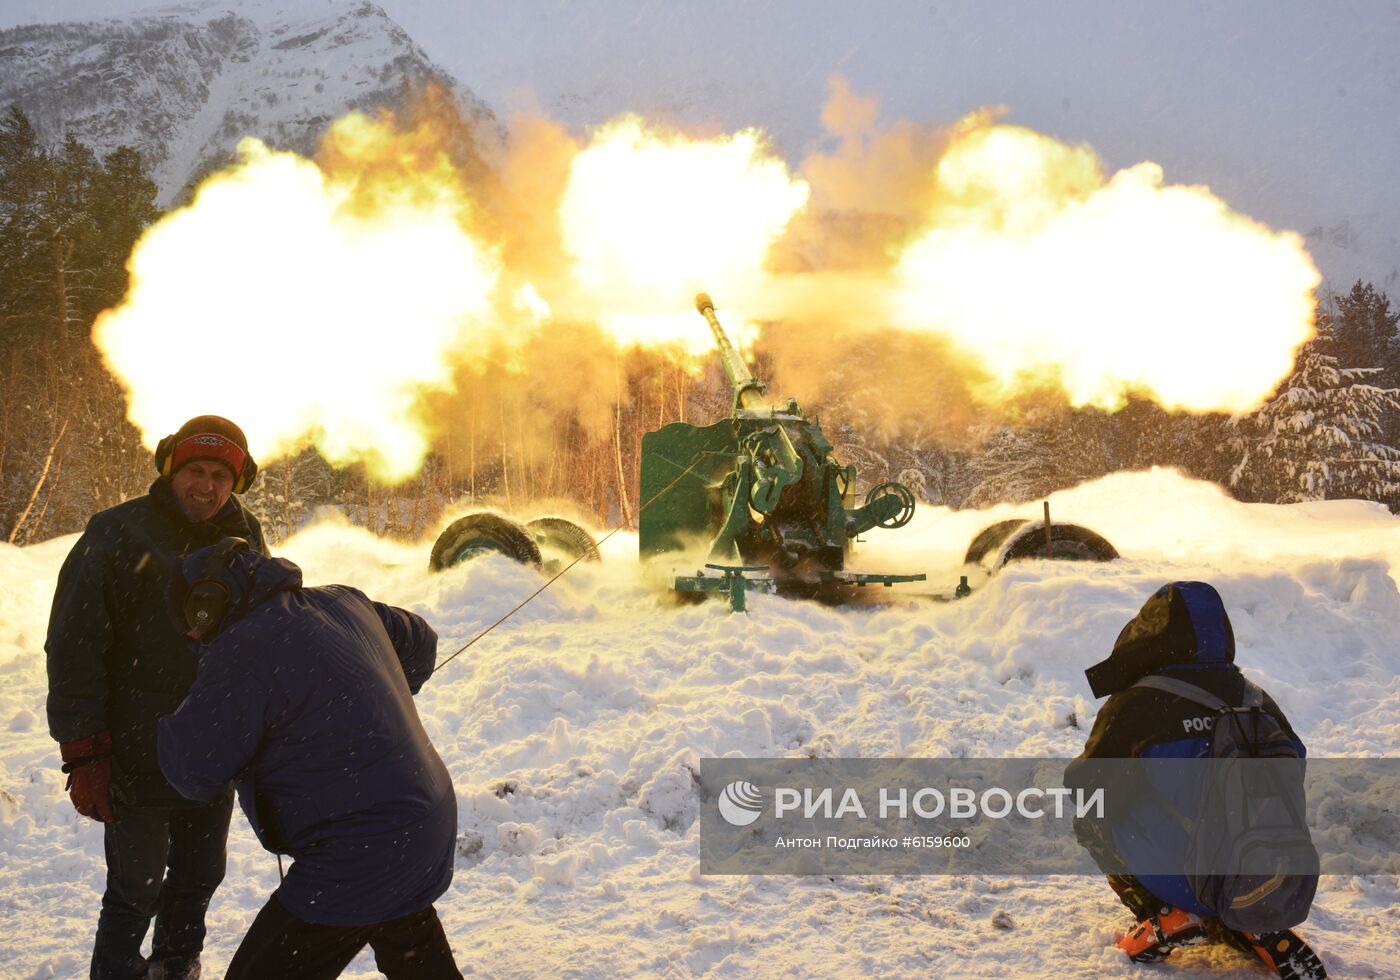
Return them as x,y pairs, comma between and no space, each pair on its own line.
1290,111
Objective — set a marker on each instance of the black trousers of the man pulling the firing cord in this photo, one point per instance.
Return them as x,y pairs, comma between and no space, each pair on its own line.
282,947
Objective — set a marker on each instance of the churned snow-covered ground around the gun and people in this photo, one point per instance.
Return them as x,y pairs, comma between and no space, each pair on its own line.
572,729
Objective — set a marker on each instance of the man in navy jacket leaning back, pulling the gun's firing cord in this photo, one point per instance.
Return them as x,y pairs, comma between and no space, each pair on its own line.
304,701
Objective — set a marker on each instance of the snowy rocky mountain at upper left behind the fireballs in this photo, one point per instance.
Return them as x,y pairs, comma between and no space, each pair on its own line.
184,85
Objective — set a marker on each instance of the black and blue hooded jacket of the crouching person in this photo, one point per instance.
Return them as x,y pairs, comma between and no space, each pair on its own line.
1182,632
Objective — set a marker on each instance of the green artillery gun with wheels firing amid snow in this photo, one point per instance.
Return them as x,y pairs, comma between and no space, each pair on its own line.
758,492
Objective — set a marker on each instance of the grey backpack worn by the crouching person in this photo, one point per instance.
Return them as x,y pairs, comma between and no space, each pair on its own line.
1249,855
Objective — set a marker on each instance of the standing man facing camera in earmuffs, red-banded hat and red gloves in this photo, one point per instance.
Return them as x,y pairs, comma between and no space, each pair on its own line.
115,666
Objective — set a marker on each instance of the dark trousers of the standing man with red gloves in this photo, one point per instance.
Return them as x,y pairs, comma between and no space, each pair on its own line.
163,863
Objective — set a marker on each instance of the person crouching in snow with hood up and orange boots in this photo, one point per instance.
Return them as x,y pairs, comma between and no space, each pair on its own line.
1182,632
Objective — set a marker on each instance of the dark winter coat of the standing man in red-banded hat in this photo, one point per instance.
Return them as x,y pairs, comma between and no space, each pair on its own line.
115,659
